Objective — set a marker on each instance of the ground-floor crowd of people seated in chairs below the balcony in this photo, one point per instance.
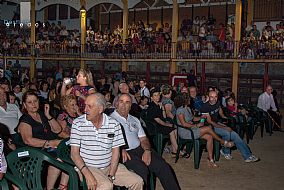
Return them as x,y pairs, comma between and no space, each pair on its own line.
102,118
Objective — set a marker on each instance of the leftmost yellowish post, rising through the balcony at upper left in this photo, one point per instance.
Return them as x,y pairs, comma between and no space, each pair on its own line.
33,41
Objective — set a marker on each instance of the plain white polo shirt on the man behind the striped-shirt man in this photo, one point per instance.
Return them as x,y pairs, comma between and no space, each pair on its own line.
133,129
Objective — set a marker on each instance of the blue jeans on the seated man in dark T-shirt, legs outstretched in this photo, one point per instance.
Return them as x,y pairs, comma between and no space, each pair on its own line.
233,136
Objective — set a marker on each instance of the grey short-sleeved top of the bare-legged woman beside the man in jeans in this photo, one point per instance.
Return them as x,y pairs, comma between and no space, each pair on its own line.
184,133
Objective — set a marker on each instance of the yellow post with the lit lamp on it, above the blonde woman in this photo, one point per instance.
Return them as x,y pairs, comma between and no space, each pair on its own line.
83,17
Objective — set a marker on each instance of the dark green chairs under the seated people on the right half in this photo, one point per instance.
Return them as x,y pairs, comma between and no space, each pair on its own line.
243,126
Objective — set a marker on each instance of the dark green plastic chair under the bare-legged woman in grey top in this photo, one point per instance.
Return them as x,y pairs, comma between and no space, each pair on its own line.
194,144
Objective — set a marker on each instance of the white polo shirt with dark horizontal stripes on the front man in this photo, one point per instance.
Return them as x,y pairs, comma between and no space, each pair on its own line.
96,144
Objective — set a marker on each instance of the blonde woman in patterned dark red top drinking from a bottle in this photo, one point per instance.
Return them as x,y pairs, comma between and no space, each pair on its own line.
84,87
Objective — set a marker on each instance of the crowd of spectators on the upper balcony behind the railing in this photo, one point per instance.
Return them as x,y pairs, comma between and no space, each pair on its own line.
197,37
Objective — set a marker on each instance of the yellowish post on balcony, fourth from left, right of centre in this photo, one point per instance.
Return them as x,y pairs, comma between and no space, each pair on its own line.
175,25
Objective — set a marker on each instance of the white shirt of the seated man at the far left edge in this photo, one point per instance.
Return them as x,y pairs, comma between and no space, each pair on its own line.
10,116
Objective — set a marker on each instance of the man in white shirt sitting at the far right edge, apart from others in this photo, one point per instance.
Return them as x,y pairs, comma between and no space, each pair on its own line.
266,103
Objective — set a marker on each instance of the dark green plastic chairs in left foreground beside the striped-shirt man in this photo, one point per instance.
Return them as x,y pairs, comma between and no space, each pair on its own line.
26,168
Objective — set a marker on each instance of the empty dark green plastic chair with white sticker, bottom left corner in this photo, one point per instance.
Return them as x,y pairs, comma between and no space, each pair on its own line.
26,164
